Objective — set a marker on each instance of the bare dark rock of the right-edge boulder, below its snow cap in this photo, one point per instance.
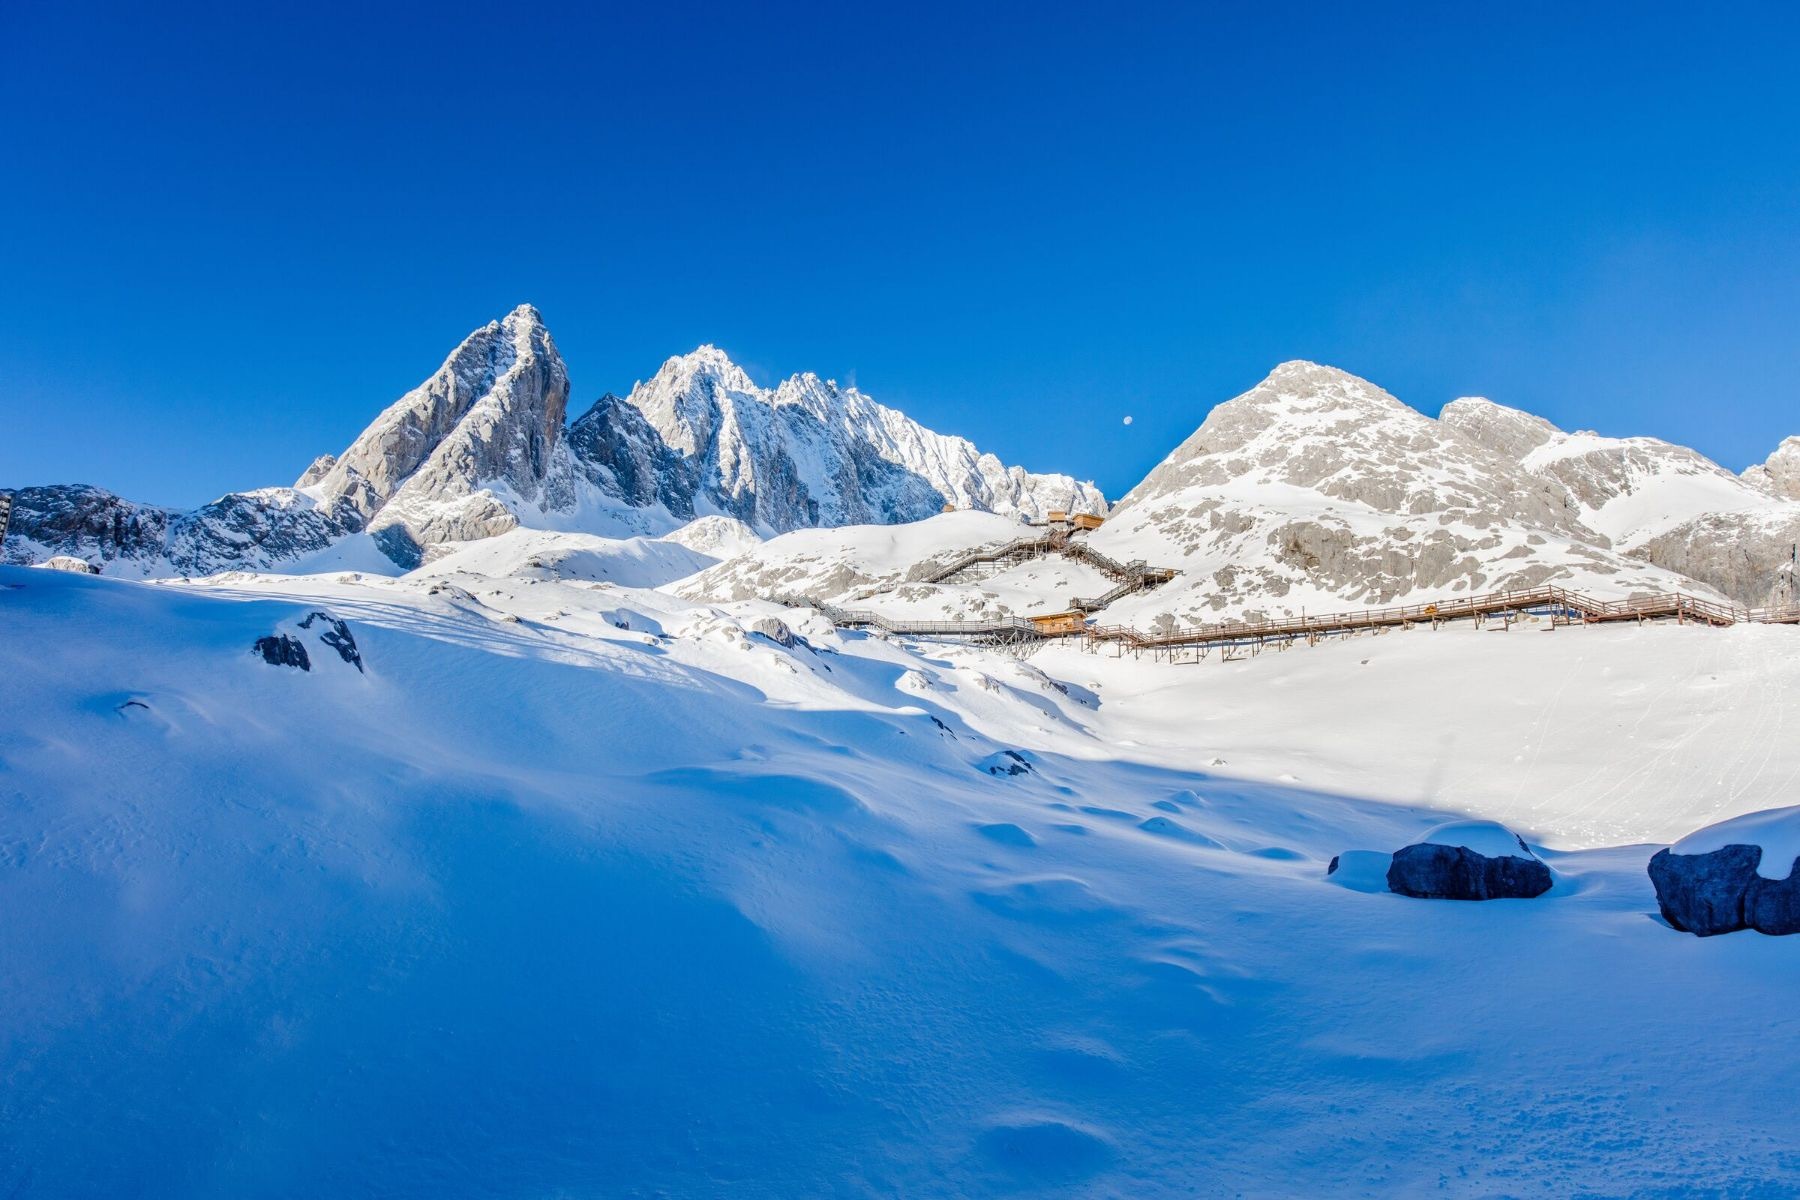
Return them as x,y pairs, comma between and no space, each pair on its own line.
1722,893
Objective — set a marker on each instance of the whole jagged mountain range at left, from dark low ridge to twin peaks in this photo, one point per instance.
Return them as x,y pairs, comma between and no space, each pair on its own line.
483,447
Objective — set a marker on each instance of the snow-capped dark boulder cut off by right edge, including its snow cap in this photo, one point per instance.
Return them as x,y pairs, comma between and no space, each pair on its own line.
1723,879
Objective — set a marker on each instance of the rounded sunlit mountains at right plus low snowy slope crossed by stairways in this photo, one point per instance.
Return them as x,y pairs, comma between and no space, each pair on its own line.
1320,492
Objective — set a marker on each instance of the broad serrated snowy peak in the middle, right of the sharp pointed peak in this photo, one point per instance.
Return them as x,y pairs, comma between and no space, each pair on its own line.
804,454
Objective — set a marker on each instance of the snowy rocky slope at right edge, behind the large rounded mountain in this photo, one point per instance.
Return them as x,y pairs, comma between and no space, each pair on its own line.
1662,503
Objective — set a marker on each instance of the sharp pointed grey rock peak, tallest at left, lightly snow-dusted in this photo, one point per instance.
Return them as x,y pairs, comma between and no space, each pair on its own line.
469,451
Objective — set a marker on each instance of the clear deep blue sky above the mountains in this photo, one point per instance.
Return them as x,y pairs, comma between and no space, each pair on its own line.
233,233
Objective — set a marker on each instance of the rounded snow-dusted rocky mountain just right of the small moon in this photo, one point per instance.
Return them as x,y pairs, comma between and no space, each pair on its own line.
1318,490
